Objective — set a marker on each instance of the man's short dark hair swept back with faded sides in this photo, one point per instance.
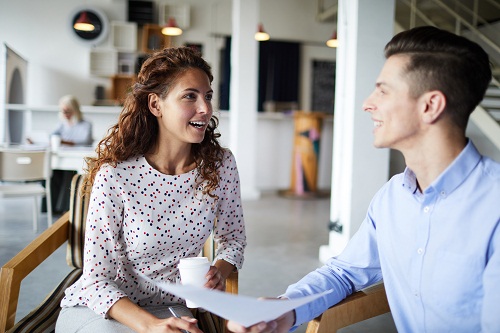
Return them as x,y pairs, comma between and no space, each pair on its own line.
441,60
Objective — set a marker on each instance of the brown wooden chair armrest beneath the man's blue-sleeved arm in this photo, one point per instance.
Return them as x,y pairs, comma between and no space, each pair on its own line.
362,305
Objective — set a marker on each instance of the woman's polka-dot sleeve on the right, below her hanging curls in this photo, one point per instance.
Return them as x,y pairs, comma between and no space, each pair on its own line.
229,232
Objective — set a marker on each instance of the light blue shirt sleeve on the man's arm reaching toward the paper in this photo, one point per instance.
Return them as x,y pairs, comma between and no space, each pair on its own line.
355,268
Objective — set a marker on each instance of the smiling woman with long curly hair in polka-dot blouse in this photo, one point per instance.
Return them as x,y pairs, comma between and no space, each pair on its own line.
157,186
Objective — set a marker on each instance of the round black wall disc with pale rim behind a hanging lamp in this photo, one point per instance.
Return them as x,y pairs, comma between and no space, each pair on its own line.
97,18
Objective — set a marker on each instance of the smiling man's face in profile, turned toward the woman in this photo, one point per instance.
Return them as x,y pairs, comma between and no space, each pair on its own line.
394,112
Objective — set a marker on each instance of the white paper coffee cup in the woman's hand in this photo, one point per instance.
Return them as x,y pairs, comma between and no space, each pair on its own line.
193,271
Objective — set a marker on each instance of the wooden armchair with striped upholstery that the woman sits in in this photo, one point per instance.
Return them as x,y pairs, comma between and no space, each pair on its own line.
71,228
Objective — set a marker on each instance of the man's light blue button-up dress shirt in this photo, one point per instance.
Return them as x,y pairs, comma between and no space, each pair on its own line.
438,252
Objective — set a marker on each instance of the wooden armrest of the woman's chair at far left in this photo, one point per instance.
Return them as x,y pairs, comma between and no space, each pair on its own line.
23,263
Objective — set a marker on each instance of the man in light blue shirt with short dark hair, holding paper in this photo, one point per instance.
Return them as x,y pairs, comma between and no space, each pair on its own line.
431,233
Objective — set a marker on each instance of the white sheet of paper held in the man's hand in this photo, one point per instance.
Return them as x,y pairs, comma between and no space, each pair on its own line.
244,310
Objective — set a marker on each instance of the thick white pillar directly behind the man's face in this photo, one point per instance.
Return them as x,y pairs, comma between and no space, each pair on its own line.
359,169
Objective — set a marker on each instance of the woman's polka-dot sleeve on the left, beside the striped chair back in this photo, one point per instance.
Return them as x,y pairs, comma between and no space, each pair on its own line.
102,244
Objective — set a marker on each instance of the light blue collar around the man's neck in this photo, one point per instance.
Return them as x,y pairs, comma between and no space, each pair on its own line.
452,176
